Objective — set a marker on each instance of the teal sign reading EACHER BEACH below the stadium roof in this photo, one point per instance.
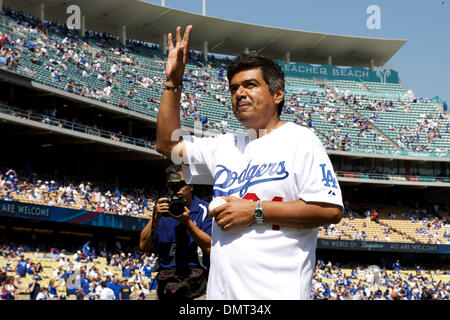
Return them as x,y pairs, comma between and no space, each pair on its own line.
329,72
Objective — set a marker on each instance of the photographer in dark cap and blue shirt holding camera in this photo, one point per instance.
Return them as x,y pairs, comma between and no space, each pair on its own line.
179,226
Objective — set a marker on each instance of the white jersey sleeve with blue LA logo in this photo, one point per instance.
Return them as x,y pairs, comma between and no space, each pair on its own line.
316,179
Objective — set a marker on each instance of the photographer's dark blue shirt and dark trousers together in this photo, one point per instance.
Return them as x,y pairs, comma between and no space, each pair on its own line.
181,275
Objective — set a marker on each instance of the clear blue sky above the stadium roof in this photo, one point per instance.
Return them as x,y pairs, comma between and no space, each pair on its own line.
423,63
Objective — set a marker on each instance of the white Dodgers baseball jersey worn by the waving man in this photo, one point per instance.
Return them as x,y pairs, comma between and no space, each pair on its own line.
263,261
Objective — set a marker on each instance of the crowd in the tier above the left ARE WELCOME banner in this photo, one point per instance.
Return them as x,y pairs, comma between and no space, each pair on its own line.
76,193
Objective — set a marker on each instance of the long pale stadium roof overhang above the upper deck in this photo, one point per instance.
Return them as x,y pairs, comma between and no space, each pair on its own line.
148,22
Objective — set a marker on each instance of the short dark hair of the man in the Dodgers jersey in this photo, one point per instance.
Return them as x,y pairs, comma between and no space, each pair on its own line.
272,73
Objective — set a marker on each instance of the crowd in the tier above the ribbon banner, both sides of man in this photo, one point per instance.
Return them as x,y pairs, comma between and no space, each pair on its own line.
72,192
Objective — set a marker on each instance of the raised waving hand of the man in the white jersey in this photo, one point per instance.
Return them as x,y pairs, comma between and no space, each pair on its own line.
177,56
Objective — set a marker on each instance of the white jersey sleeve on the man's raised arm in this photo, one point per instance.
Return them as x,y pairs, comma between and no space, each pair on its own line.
201,161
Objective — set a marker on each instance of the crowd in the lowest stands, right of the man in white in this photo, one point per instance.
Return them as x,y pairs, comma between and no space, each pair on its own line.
359,282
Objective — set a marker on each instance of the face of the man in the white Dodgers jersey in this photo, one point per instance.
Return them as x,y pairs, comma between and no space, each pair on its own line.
253,104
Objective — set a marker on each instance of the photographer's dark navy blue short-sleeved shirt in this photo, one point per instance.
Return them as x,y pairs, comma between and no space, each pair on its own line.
175,246
